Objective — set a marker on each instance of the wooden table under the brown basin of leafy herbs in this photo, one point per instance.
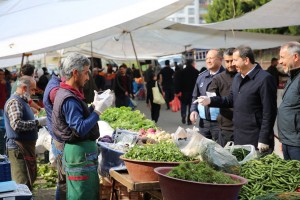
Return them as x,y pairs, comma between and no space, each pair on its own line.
153,188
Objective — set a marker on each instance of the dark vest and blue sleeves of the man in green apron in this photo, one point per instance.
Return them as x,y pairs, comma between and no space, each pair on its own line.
72,120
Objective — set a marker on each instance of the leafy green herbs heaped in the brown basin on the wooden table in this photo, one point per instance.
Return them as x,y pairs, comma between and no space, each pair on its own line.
163,152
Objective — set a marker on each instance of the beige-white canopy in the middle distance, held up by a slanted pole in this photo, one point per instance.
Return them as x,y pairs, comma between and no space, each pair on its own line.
152,42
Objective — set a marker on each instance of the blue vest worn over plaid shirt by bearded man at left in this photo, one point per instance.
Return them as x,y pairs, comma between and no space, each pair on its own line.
20,136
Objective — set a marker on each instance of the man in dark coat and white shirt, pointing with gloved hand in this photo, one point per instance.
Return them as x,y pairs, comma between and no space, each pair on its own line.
253,98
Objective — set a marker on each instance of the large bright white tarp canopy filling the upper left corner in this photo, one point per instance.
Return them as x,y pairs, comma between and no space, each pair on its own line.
47,25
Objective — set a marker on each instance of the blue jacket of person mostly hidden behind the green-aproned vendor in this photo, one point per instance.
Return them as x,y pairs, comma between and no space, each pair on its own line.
53,83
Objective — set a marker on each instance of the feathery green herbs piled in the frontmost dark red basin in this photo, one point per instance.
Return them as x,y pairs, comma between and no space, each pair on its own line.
200,172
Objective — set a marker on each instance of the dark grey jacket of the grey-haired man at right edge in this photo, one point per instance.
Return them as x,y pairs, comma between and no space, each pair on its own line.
288,119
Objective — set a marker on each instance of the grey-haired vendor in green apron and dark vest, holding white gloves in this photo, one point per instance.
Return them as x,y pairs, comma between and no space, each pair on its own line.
75,126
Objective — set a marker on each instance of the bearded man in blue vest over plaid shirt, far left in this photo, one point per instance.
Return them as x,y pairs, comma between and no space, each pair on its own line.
21,130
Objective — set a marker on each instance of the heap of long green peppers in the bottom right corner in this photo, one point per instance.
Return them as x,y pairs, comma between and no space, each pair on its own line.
269,175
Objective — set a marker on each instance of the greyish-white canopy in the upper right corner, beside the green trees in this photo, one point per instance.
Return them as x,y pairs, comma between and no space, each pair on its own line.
274,14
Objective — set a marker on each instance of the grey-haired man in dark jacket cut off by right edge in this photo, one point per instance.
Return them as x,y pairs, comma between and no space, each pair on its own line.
289,109
